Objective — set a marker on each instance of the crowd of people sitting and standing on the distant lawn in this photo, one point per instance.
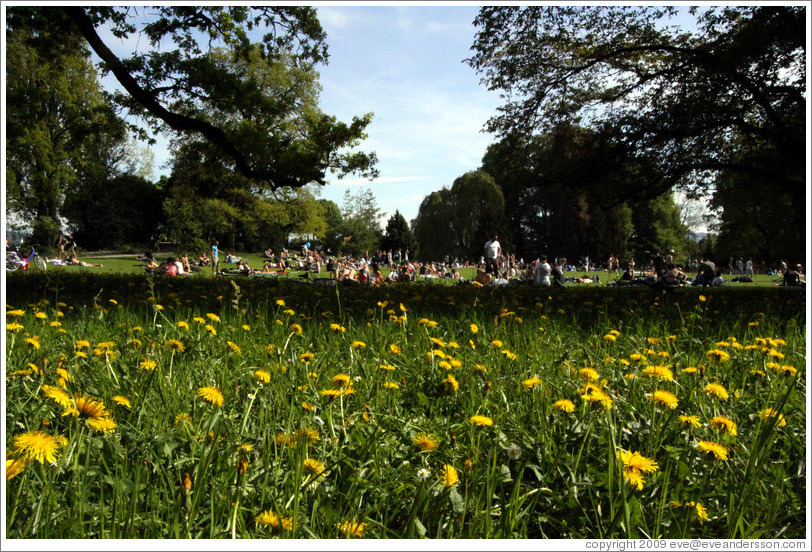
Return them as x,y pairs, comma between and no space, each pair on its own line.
494,267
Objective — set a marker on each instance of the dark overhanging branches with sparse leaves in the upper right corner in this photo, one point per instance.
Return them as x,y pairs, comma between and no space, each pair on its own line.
673,96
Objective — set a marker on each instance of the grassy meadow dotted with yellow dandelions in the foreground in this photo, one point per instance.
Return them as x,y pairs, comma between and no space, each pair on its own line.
213,407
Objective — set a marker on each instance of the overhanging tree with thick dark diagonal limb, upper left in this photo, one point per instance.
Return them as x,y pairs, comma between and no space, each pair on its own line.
192,91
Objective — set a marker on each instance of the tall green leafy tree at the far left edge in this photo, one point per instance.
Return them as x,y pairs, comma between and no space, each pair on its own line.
61,130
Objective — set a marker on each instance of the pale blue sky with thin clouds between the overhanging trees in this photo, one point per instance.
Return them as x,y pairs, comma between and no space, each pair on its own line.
405,64
